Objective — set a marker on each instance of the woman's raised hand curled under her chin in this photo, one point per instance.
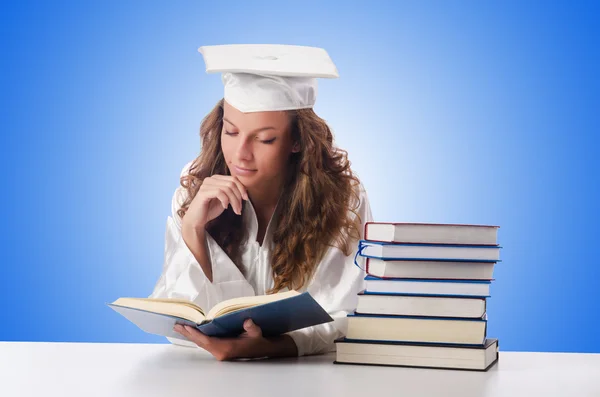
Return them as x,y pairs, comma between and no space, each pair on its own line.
214,196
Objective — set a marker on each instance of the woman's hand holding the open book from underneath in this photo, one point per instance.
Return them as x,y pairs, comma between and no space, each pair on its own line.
250,344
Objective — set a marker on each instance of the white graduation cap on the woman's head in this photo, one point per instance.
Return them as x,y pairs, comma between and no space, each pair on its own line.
267,77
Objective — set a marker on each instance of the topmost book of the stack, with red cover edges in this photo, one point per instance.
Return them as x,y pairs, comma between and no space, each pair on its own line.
431,233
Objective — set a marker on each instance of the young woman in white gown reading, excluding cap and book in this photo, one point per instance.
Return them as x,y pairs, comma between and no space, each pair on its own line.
269,205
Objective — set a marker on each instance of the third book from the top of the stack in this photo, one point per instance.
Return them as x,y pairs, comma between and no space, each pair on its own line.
430,269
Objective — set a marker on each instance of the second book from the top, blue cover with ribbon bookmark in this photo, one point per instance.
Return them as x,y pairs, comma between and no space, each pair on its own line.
399,251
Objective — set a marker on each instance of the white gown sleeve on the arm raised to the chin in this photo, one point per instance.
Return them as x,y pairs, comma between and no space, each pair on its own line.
182,276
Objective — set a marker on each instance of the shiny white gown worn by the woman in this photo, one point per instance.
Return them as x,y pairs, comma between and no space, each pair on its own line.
334,285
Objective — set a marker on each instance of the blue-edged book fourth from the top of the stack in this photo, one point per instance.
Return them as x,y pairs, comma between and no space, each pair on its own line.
428,287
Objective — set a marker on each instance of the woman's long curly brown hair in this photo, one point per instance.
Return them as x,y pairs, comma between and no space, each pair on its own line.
316,210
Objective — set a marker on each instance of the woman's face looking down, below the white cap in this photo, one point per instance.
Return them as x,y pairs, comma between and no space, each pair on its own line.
256,145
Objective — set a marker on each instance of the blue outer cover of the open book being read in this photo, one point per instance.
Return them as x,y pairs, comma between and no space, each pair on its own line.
274,318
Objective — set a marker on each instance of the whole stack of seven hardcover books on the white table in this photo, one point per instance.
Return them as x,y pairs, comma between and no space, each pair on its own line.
425,299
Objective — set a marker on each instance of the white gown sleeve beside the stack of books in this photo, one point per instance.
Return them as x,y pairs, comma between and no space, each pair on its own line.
335,286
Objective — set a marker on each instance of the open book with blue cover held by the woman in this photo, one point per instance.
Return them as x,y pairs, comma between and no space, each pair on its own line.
275,314
